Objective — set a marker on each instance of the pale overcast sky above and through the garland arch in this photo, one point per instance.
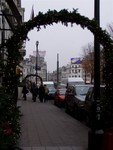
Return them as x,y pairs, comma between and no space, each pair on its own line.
69,41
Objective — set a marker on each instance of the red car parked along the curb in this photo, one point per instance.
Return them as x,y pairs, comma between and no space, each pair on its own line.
59,98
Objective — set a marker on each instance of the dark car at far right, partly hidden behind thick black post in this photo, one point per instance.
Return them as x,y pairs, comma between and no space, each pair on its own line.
89,103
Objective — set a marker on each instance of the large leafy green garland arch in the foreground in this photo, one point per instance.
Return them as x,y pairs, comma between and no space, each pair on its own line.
64,16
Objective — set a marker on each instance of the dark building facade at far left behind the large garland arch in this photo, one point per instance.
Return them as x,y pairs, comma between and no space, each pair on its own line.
11,15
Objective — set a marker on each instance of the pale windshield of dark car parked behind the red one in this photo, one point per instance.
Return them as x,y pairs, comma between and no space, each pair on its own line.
82,90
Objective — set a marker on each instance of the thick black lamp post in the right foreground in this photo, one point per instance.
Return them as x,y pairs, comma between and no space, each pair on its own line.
96,133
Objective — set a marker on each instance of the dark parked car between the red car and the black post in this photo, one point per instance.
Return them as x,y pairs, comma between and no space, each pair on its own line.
75,98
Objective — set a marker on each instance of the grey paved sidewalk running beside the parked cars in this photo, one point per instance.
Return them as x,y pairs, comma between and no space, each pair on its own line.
47,127
